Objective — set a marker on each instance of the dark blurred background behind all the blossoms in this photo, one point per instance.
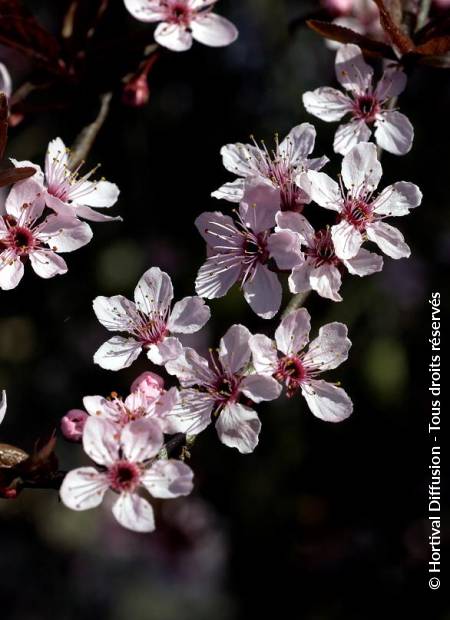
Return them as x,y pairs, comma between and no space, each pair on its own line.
323,521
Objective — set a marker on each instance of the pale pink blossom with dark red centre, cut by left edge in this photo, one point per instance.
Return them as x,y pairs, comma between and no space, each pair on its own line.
26,234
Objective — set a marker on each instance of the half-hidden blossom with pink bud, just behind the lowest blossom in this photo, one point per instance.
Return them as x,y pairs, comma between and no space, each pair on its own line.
144,401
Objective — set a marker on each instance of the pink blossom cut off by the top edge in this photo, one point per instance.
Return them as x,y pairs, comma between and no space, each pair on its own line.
182,21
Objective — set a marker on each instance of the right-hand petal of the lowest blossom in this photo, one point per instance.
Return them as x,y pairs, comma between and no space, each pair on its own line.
168,479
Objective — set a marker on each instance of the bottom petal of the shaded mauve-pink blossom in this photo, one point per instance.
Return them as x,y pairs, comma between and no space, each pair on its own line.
263,292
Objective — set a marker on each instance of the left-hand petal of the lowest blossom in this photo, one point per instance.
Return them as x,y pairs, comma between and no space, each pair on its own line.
83,488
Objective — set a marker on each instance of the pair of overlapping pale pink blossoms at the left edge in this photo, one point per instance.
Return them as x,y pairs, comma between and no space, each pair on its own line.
42,215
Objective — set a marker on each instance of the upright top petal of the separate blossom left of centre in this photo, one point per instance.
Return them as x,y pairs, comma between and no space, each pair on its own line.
154,292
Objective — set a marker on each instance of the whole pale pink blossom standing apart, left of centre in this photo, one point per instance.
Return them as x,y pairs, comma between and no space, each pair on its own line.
149,321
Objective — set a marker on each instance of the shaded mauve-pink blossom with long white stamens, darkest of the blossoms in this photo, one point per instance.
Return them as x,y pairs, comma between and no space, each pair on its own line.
240,249
